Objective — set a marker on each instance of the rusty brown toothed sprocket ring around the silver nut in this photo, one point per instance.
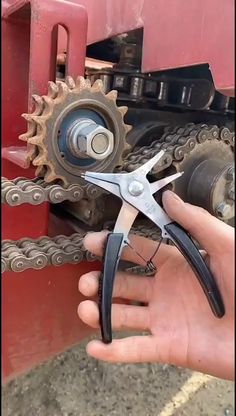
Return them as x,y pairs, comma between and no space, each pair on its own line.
44,127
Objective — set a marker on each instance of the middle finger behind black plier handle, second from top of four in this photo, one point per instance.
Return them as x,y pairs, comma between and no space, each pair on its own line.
126,286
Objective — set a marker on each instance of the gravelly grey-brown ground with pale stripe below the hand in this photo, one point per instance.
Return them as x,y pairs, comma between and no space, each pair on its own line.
74,385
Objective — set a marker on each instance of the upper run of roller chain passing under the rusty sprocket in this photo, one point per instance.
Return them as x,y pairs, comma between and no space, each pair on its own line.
177,143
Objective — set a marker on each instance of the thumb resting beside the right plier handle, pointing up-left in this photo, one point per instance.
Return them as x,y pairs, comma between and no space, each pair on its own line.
203,227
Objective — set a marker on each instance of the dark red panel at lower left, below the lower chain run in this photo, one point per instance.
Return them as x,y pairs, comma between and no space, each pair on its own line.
39,316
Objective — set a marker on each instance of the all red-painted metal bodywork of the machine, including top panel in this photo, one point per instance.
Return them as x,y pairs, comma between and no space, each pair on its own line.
39,307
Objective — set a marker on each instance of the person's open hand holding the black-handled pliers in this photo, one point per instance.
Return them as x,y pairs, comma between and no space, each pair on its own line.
183,330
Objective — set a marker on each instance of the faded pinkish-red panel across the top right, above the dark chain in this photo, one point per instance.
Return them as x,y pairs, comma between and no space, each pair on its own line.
177,33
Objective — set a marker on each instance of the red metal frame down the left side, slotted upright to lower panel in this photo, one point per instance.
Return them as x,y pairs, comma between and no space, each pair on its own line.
38,307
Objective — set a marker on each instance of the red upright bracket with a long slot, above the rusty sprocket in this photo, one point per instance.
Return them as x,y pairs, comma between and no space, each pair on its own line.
31,26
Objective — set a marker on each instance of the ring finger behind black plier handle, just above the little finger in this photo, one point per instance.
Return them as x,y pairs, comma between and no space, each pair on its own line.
122,316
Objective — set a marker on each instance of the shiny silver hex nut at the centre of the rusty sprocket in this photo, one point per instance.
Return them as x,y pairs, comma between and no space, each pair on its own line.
88,139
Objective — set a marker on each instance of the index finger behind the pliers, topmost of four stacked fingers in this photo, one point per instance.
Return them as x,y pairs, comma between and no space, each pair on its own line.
95,243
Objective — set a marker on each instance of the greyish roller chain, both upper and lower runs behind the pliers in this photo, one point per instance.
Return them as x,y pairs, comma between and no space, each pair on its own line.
36,254
